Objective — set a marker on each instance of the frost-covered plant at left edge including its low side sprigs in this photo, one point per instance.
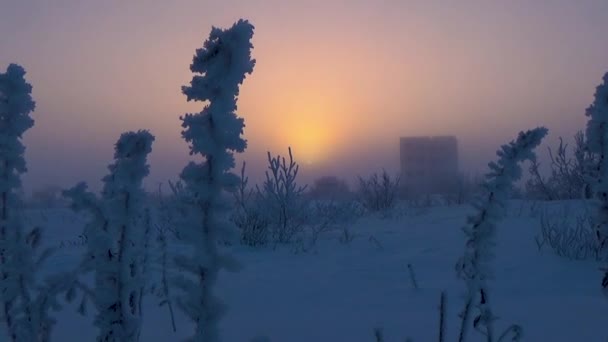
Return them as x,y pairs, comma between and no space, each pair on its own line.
25,301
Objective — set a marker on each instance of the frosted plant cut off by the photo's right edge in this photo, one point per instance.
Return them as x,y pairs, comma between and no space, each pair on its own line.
597,142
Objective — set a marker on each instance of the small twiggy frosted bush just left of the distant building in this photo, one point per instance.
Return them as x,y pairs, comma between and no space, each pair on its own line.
378,193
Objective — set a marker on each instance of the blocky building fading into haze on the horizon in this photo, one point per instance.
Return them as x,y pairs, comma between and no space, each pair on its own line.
429,164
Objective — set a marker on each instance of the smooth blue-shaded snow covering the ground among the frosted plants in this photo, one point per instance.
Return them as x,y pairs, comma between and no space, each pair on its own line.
342,291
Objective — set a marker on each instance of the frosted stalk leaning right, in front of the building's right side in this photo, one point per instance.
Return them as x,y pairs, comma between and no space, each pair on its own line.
474,266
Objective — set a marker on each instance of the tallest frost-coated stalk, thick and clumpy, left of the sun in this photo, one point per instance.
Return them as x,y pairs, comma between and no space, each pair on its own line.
214,134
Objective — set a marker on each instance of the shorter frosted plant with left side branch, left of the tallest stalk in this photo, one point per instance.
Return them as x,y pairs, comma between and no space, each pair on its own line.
117,240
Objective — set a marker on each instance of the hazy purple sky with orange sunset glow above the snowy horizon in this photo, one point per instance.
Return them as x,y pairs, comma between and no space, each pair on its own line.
338,81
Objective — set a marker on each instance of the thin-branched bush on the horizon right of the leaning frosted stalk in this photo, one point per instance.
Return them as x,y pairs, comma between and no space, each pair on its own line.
569,176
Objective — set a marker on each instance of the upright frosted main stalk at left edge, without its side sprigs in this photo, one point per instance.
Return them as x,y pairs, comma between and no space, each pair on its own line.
16,263
